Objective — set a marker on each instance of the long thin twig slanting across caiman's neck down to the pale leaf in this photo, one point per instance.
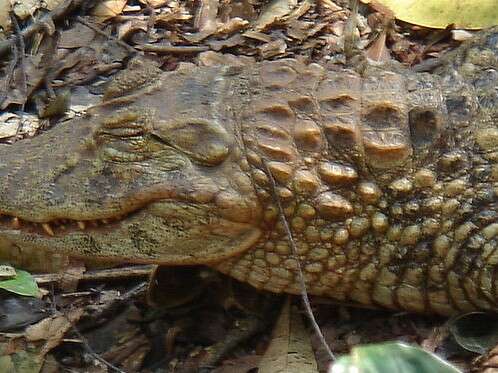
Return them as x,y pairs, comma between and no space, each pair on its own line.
300,276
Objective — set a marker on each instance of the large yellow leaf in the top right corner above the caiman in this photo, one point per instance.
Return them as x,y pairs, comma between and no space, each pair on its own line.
469,14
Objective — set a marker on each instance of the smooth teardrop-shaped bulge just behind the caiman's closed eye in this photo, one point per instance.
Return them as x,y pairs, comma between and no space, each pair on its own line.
204,141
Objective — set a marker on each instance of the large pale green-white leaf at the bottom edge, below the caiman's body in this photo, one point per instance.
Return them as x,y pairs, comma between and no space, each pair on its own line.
391,357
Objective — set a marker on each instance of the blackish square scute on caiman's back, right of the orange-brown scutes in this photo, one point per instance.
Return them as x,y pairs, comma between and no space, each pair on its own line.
424,126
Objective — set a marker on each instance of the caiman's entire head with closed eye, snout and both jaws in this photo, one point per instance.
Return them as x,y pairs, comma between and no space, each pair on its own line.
154,173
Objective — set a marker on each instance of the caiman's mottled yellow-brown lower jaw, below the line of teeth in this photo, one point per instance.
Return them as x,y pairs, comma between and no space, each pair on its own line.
166,232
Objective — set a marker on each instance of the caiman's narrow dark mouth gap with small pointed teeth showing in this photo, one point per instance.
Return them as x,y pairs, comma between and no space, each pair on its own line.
62,225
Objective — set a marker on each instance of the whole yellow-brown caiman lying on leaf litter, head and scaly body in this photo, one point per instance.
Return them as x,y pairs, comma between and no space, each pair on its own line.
387,178
